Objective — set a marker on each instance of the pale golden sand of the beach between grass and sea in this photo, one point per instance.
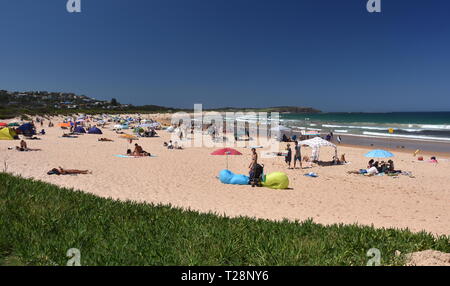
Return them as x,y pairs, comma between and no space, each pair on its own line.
187,178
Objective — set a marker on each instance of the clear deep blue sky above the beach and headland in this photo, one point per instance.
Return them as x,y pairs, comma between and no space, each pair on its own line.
329,54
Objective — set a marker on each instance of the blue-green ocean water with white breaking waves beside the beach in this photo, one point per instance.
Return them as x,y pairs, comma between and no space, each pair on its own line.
433,126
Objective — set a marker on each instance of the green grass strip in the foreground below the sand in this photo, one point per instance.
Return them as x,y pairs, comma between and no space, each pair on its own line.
40,222
